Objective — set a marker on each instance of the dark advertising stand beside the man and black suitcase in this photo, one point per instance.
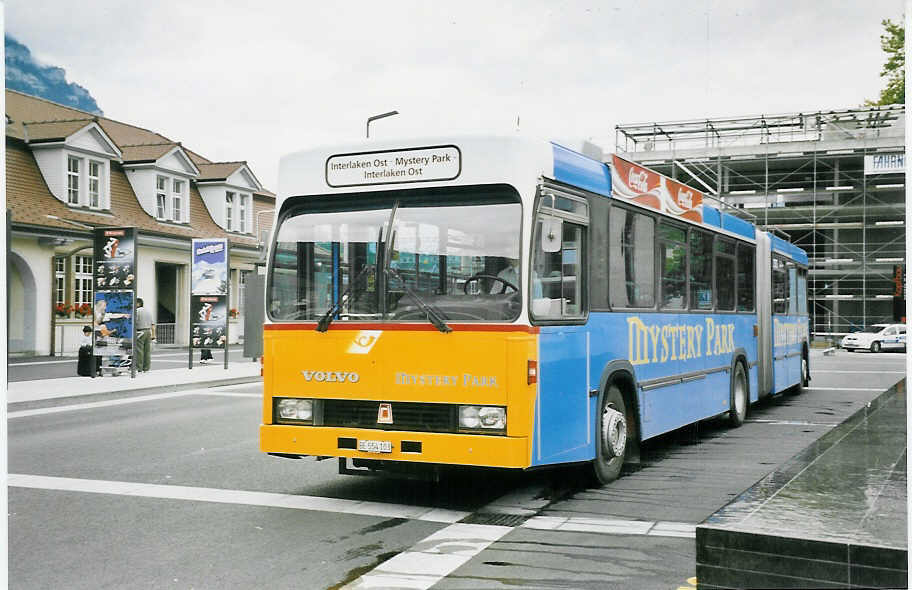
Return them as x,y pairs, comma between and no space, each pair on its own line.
113,307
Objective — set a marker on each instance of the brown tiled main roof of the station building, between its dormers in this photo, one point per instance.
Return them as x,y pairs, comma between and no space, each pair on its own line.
30,202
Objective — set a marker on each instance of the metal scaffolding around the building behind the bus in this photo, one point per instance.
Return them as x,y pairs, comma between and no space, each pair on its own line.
811,176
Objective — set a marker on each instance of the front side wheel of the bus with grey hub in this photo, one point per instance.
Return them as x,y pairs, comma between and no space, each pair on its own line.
611,436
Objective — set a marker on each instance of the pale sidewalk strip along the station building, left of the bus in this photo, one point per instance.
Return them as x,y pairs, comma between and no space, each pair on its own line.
158,380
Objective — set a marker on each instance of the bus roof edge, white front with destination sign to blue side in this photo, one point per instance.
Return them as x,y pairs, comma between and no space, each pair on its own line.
375,165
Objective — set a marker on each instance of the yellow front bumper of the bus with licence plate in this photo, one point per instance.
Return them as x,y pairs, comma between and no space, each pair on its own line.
418,447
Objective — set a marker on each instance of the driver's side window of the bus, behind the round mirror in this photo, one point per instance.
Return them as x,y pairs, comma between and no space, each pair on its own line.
557,281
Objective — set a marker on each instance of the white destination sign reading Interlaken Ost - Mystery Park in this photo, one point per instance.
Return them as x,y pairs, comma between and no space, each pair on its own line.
393,167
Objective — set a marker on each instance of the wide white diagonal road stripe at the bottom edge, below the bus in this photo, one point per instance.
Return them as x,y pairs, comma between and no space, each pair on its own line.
433,558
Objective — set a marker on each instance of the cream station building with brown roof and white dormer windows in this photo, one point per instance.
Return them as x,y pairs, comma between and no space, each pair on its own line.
69,172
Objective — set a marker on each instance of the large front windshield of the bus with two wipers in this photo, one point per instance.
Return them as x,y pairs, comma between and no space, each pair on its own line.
456,252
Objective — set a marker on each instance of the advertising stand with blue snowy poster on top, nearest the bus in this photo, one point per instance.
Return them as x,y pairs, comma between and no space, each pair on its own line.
209,295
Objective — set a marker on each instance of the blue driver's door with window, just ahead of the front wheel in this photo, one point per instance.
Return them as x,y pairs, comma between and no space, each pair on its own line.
558,303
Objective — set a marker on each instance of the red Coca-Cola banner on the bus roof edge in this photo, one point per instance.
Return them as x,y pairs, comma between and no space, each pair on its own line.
645,187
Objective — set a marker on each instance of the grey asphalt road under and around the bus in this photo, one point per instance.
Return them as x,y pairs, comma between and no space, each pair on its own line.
172,492
